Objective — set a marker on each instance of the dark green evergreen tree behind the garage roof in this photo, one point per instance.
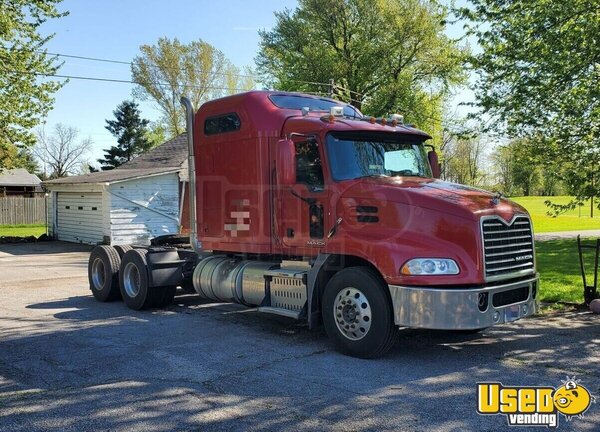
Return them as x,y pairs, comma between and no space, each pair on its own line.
131,133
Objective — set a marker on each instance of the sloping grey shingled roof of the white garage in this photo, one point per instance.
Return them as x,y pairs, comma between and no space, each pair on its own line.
167,157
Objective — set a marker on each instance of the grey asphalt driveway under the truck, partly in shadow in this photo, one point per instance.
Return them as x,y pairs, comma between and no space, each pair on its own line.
68,362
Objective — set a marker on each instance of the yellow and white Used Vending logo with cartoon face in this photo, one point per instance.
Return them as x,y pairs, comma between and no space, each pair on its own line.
534,406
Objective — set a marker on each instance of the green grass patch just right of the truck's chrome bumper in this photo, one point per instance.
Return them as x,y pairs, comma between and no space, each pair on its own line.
558,264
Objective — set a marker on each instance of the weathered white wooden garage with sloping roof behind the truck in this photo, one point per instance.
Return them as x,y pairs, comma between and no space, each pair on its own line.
132,204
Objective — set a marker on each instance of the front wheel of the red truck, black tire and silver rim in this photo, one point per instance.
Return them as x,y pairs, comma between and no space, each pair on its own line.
360,298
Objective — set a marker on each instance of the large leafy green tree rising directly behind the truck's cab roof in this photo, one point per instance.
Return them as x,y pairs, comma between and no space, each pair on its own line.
388,56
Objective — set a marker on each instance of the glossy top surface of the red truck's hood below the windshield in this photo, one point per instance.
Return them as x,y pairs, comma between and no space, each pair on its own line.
452,198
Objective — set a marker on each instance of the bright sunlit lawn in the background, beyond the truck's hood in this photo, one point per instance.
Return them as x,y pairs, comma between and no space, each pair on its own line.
568,221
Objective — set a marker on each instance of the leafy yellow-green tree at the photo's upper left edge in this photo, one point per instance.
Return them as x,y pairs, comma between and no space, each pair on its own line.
25,97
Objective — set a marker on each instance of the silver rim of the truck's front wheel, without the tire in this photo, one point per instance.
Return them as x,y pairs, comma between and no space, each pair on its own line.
352,313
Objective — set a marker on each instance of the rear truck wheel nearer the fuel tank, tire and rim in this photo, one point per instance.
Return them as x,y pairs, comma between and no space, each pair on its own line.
133,281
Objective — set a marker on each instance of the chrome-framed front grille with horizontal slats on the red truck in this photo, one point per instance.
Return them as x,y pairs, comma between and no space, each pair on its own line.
508,248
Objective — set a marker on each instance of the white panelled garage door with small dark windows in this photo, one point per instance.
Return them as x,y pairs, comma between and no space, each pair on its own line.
79,217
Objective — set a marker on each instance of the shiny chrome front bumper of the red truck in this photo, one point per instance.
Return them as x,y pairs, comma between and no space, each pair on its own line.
459,308
